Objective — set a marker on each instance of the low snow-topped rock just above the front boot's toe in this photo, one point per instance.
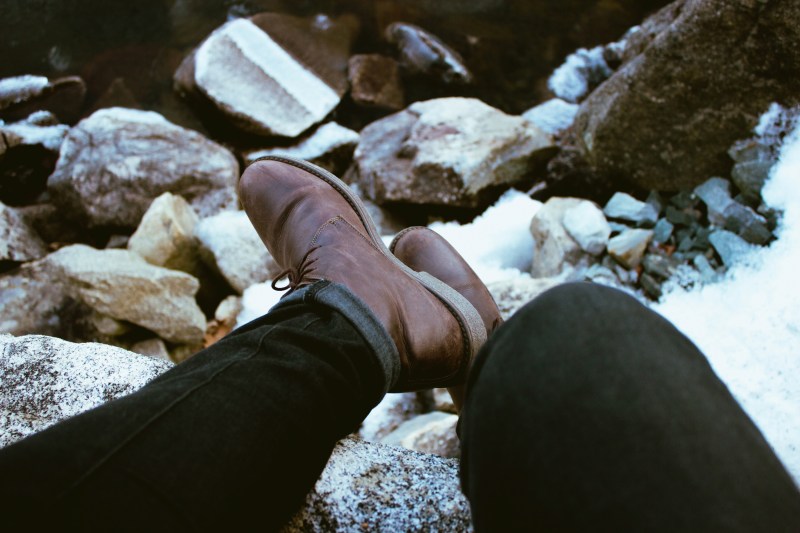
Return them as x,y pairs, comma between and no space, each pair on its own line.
330,146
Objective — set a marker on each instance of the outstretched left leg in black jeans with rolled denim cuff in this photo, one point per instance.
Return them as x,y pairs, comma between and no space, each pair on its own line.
233,438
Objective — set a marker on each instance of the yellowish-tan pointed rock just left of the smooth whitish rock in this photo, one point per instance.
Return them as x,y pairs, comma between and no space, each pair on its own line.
165,236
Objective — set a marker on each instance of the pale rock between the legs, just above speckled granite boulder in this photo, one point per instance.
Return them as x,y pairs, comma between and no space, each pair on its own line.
433,432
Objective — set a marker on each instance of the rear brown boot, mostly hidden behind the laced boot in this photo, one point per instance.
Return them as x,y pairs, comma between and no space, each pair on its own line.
424,250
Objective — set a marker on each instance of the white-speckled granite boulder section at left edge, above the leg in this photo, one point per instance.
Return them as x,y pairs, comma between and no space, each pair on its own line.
44,380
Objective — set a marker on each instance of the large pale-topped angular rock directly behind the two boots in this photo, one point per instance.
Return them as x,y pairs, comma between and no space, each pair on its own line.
446,151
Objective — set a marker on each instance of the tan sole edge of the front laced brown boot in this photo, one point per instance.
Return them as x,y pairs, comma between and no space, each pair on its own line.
472,327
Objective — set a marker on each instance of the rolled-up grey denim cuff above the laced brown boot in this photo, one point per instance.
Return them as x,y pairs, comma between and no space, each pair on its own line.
341,299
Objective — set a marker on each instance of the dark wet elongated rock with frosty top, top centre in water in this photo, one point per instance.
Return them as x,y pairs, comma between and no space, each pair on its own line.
421,52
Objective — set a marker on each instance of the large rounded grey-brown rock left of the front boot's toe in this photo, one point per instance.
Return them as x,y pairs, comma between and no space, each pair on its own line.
114,163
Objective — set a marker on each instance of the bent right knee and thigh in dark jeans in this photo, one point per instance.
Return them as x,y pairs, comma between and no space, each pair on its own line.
587,411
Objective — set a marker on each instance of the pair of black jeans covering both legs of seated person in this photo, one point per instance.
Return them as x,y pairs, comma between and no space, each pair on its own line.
585,411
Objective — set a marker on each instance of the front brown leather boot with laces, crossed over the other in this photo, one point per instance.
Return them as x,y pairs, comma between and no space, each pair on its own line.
317,229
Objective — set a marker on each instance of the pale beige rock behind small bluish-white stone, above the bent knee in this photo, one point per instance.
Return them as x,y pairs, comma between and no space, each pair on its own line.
554,250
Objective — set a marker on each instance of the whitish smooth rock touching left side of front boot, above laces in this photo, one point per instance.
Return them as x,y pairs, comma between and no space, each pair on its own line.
230,244
